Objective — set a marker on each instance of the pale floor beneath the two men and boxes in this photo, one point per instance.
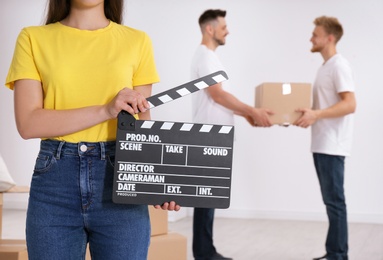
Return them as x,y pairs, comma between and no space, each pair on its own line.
254,239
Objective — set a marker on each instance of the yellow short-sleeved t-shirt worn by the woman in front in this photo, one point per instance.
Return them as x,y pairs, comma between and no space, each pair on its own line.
79,68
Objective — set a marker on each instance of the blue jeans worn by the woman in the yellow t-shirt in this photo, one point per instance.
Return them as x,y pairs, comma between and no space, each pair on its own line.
71,205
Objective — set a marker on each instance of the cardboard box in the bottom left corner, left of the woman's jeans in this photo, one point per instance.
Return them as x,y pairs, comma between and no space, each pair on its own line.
13,250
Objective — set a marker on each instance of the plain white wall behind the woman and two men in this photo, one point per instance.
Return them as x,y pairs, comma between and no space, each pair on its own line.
273,175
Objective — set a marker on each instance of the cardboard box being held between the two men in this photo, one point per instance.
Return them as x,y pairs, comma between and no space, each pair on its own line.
283,99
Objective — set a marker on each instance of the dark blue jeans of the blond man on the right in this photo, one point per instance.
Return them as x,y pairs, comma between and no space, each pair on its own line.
330,171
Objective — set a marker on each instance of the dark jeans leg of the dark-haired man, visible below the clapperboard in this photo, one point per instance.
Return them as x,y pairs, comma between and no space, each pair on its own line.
203,233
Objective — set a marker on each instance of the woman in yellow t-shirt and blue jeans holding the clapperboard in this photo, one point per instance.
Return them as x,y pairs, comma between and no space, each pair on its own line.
71,78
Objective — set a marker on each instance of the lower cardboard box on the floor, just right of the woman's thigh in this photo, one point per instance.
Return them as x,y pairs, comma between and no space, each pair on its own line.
171,246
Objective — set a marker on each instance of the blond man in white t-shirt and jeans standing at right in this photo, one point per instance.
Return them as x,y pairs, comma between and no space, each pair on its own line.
331,119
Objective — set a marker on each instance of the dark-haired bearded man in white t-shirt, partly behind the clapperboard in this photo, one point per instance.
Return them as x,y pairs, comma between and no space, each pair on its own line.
215,105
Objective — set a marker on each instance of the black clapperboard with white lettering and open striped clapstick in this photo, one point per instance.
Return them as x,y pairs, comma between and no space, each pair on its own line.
158,162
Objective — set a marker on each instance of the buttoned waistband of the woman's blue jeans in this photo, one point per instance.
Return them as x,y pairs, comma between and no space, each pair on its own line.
59,148
